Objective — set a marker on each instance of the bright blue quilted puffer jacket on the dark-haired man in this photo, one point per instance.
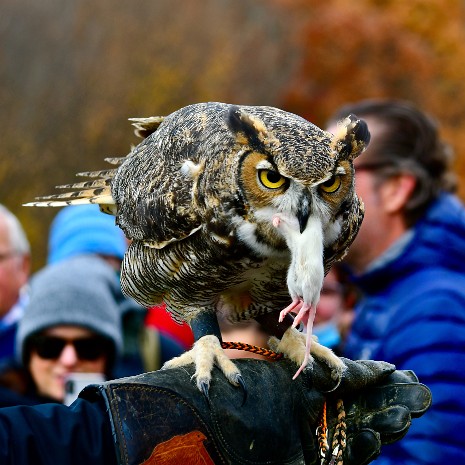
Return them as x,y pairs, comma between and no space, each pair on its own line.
412,314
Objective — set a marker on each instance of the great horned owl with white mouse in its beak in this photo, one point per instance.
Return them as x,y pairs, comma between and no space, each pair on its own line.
232,209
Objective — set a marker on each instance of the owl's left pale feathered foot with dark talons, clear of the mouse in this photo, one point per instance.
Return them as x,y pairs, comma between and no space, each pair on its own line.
206,352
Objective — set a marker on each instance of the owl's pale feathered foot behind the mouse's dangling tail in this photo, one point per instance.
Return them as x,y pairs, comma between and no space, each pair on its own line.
293,345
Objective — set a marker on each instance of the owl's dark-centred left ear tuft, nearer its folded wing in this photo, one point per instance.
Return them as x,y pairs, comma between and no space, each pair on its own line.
248,128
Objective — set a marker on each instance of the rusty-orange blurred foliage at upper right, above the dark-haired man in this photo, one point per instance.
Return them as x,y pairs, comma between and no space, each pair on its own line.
413,50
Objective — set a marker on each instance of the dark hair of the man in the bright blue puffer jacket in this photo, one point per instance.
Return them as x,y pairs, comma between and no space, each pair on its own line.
410,142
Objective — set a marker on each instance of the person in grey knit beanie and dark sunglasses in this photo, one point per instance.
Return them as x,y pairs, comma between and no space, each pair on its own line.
72,324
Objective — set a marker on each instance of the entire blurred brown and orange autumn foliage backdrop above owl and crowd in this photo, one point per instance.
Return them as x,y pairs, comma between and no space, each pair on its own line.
73,71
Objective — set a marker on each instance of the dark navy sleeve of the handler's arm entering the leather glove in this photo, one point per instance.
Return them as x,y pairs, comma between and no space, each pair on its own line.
54,433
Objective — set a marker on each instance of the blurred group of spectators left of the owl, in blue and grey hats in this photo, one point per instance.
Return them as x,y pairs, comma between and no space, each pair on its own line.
71,318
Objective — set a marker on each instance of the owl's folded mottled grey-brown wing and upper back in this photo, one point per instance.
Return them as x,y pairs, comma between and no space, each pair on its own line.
167,190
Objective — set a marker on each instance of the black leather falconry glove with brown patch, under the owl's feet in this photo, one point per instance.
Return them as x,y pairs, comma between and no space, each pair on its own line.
162,418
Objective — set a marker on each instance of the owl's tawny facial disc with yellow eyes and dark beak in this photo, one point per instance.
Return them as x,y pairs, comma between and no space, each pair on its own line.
266,192
